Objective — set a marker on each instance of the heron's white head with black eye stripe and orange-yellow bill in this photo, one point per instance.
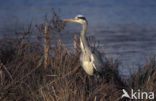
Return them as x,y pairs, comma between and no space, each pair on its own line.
79,19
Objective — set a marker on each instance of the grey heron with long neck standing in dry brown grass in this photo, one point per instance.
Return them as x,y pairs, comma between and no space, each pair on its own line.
90,59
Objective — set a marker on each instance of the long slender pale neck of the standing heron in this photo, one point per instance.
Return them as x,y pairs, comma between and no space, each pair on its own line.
83,41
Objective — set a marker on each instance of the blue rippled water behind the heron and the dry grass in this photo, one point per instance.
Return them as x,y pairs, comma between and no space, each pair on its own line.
126,29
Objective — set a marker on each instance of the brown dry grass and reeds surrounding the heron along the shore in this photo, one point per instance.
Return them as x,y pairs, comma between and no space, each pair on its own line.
24,78
